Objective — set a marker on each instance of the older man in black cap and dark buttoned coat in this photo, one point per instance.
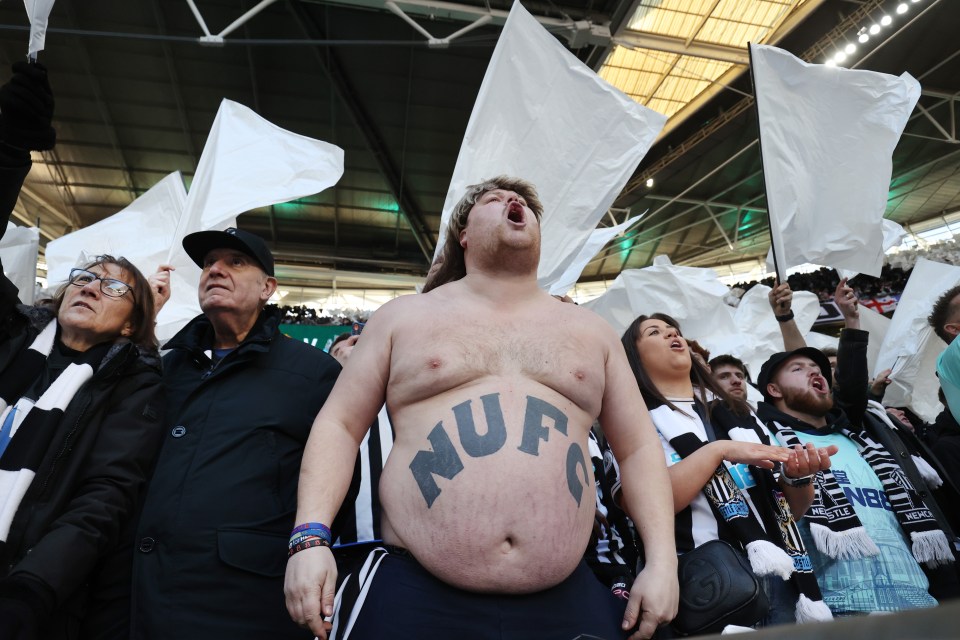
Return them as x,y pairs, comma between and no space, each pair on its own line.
212,538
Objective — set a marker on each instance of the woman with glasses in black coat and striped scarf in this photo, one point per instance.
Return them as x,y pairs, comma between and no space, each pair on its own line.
79,428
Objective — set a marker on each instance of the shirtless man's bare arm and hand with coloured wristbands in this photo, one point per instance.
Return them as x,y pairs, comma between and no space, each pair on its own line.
327,466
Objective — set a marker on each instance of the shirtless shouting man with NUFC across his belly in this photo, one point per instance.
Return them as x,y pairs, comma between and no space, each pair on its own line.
492,386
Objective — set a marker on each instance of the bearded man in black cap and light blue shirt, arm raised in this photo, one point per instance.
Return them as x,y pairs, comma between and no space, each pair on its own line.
873,530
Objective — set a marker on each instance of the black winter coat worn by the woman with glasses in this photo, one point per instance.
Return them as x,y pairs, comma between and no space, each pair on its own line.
89,482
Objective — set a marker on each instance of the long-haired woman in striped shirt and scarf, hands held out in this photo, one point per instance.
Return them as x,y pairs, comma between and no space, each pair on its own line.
728,482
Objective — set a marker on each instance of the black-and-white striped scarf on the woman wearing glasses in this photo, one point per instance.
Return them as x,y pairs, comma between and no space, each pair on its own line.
33,423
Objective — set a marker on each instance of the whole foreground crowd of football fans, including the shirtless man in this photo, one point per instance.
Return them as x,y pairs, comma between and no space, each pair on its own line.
231,489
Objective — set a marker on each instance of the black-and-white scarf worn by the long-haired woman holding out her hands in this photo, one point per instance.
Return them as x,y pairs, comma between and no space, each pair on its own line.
759,518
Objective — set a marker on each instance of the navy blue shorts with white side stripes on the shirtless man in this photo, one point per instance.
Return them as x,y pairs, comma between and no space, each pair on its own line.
393,596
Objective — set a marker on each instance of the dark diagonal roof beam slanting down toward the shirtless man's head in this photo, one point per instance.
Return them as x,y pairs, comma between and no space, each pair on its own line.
331,66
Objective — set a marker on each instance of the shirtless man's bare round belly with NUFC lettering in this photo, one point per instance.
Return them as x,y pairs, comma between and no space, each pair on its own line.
491,490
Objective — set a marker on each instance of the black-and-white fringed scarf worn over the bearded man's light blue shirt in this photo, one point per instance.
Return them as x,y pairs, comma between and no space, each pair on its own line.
834,525
